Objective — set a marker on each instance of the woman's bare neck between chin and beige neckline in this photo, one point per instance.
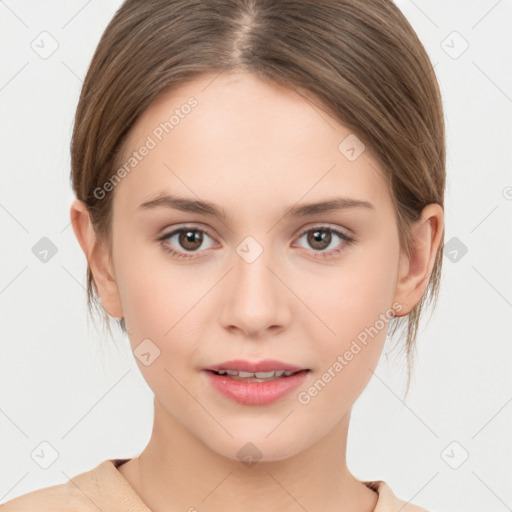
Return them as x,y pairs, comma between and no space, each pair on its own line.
178,472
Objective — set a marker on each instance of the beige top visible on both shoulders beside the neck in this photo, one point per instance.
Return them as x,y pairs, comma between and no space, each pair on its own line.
104,488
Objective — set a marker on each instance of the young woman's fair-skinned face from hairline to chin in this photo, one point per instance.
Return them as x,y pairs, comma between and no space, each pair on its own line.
259,281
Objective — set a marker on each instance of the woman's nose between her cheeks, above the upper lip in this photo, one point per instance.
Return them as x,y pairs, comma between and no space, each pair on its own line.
256,298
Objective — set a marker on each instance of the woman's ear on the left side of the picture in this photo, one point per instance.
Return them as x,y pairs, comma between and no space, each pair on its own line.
98,258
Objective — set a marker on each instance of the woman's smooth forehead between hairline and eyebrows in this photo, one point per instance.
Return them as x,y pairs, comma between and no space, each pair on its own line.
243,143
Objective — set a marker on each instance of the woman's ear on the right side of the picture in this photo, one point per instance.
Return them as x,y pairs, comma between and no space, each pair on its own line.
413,272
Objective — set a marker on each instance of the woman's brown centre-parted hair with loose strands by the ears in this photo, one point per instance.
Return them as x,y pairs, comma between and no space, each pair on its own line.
359,59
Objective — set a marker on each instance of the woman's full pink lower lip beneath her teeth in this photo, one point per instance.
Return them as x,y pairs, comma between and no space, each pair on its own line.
256,393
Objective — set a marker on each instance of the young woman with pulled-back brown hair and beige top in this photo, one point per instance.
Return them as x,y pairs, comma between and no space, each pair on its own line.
259,196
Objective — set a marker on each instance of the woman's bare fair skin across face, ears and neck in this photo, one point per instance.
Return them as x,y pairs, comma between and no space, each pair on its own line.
254,149
